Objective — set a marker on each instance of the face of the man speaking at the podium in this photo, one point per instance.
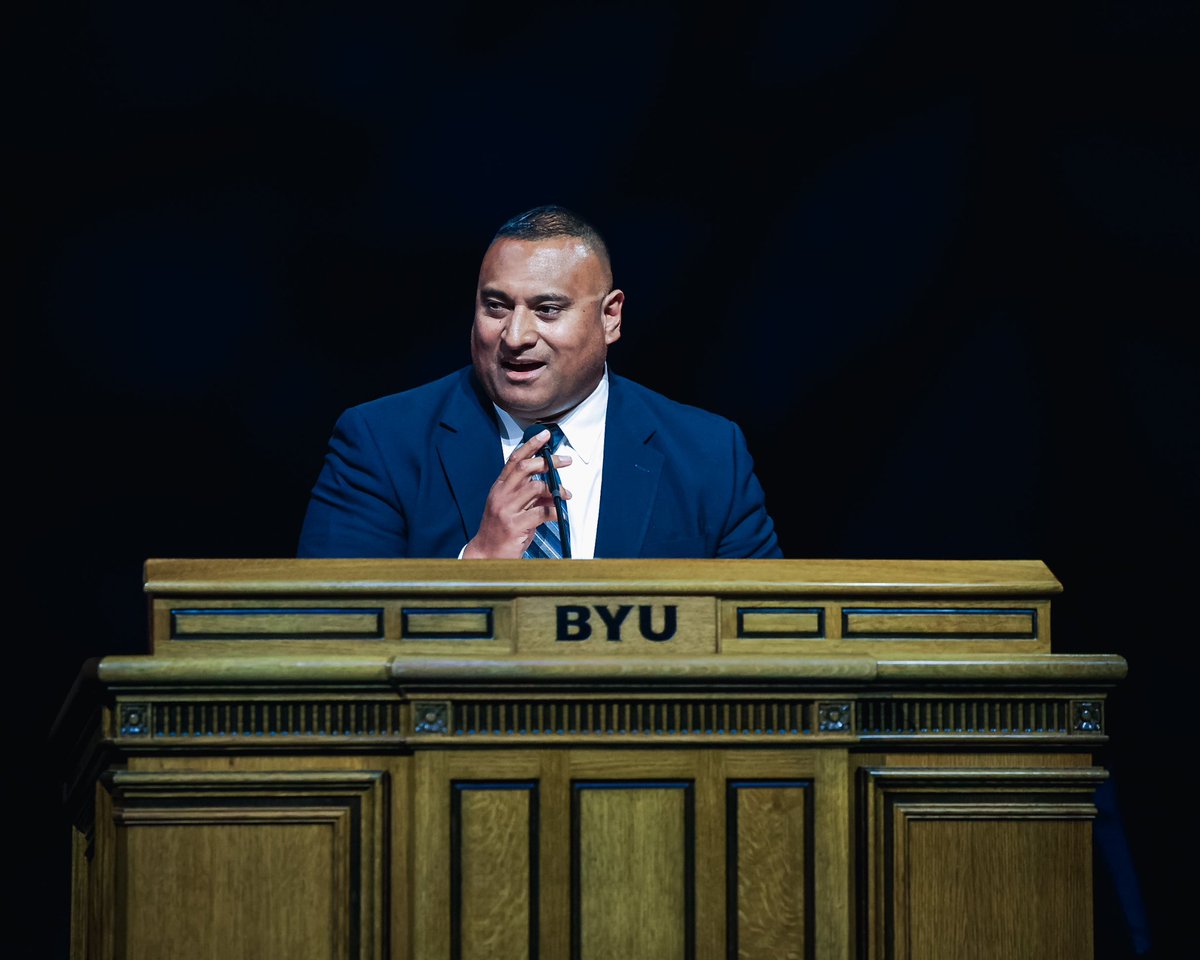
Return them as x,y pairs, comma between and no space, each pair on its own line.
544,321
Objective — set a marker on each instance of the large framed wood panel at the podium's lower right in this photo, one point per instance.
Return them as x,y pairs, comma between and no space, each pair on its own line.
981,862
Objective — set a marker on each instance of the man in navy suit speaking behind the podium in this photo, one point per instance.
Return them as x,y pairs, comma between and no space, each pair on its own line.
446,470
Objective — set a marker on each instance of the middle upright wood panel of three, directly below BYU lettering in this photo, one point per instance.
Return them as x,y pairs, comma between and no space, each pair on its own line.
633,878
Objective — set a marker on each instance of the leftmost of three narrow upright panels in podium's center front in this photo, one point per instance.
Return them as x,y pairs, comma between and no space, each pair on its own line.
494,849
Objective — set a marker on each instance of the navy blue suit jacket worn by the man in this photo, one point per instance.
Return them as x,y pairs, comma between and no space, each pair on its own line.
407,476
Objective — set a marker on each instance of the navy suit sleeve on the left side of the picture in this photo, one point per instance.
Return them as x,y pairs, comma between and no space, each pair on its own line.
355,511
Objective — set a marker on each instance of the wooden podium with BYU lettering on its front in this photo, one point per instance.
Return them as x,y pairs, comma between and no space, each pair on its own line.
613,760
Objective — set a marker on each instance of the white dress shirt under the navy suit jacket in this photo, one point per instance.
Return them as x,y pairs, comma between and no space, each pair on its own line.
584,442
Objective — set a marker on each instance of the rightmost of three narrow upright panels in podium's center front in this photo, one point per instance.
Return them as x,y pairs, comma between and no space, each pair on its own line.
770,869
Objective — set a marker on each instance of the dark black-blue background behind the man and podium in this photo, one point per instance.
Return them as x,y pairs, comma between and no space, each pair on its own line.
939,260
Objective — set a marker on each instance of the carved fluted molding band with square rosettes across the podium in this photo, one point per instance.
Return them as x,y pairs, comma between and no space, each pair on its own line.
287,721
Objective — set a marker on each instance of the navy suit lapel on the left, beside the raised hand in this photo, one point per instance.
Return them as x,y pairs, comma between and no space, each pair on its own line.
470,449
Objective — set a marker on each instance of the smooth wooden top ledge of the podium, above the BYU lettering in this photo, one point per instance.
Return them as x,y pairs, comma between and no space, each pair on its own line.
833,578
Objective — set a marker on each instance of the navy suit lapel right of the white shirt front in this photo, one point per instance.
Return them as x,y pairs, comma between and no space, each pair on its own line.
632,472
